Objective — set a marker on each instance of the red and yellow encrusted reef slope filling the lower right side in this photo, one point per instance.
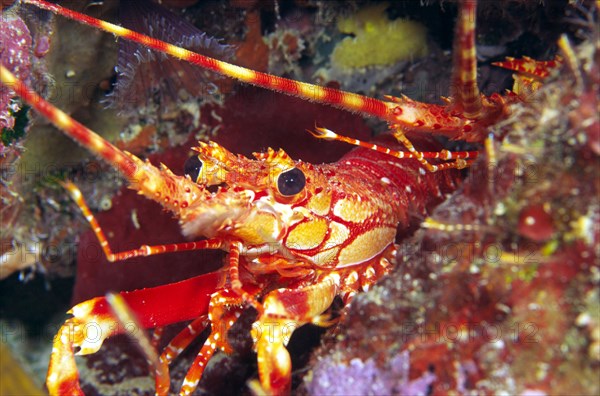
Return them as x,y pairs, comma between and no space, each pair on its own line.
493,294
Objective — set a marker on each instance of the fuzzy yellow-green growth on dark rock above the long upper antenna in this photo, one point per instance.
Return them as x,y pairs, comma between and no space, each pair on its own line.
378,41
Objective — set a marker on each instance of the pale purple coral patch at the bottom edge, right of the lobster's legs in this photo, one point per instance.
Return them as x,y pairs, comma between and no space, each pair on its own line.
367,378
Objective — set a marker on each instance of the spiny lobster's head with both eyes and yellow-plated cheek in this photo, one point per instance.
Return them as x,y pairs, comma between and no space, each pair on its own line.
280,210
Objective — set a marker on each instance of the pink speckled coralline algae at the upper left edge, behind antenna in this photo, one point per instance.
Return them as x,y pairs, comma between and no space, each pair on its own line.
15,46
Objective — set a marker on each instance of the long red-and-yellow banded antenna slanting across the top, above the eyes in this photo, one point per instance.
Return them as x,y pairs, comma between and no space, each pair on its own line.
311,92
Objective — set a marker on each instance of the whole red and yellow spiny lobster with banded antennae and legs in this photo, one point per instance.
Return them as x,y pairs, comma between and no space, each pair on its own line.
297,234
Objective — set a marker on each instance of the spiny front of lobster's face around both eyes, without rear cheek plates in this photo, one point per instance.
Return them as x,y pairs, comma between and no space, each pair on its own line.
250,200
